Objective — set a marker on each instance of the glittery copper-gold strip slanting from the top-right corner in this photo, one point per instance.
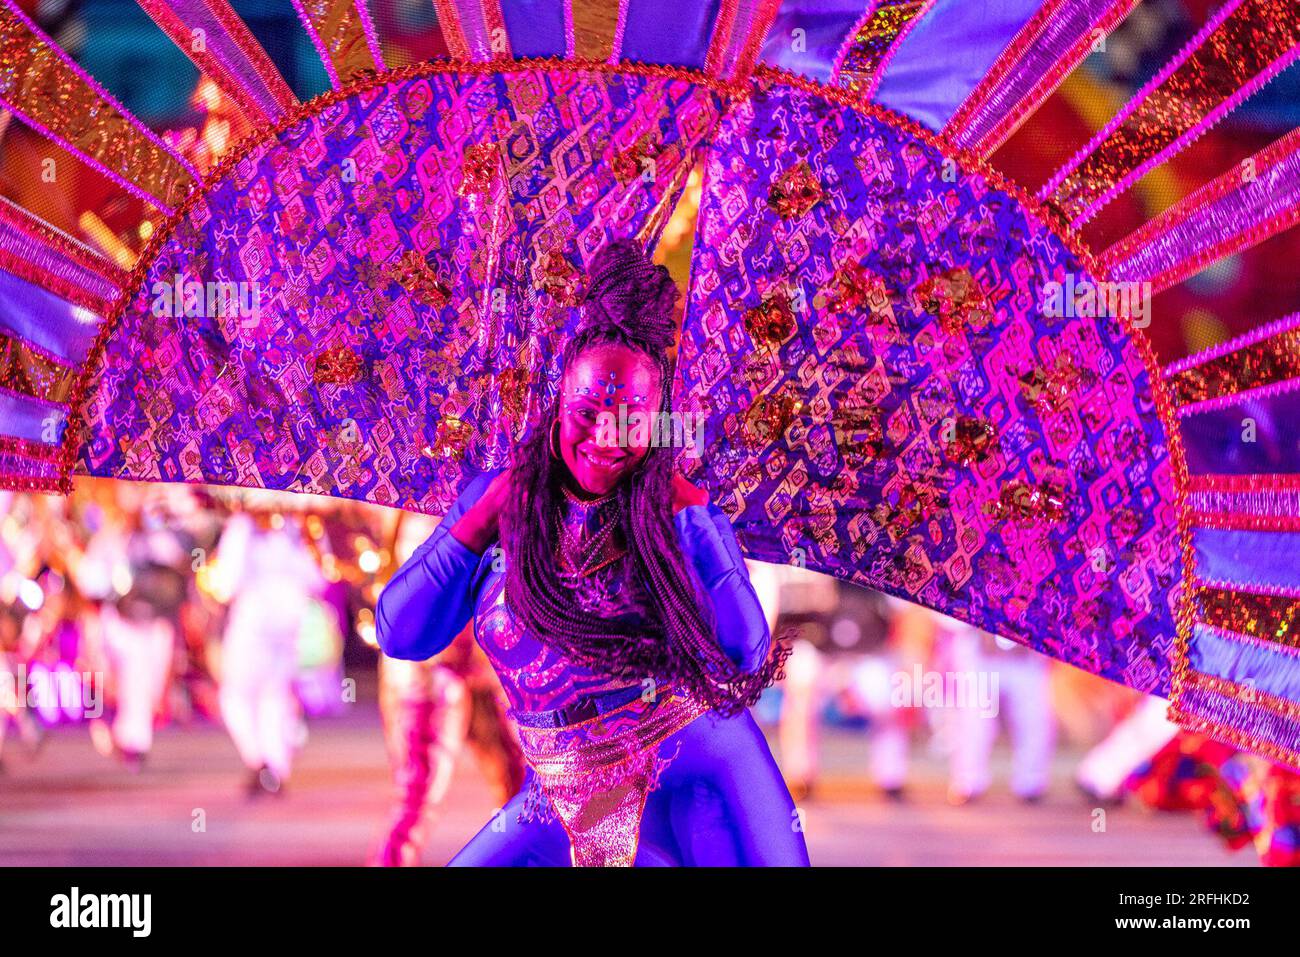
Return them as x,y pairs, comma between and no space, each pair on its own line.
1251,45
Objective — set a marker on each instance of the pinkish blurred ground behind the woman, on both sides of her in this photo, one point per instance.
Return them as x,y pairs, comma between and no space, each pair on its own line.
68,806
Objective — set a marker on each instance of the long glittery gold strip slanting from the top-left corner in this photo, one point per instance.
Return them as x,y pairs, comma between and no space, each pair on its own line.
50,94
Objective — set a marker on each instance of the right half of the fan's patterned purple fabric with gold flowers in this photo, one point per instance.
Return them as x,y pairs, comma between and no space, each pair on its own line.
851,466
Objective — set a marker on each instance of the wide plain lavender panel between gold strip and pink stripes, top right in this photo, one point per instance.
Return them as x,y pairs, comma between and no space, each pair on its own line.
947,54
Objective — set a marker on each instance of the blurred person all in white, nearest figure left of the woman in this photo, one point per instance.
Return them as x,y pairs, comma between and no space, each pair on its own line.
274,578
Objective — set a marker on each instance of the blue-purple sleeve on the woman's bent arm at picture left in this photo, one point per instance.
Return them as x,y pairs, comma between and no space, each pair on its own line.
432,597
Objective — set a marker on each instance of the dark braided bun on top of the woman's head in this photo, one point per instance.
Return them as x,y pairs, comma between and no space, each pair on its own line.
632,295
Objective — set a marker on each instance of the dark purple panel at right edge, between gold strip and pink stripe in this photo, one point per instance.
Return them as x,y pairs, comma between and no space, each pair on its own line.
1215,441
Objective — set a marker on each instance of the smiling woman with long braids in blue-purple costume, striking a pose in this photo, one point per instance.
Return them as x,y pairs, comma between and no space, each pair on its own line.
618,614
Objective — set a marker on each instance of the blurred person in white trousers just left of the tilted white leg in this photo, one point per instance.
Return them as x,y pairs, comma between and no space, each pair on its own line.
1021,679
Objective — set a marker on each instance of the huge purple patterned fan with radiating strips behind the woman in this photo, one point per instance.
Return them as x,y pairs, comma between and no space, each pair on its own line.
920,367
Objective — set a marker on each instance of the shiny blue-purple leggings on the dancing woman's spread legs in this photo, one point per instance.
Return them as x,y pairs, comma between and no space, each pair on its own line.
721,804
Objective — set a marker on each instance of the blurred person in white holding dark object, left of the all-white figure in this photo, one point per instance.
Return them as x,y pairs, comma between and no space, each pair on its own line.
140,568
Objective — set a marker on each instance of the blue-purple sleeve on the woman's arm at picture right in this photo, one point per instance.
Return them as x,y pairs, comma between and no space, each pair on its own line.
709,543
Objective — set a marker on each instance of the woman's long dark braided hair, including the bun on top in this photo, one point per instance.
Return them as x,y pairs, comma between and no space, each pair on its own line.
629,302
